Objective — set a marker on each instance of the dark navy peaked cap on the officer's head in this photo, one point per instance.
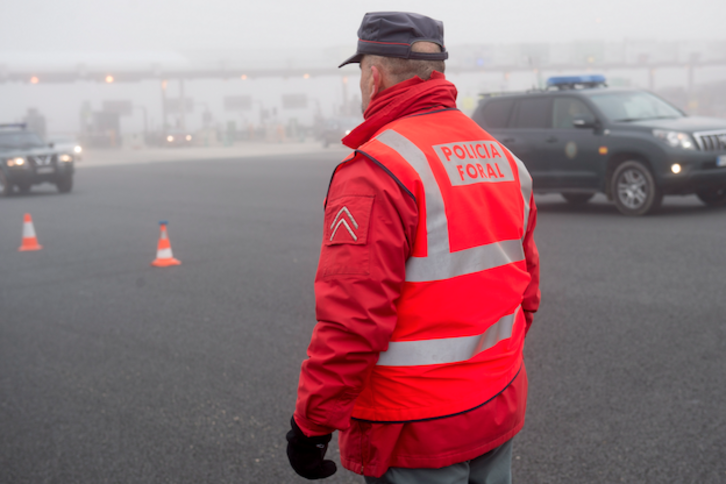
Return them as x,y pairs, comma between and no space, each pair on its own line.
392,34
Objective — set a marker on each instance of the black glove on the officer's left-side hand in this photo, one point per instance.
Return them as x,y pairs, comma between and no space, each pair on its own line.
306,454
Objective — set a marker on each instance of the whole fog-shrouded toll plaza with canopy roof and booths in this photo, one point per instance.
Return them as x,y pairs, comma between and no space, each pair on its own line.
246,113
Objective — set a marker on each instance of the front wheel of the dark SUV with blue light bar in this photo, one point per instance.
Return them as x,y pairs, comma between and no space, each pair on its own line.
634,189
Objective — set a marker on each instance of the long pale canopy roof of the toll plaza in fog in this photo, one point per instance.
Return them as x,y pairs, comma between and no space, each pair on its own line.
541,57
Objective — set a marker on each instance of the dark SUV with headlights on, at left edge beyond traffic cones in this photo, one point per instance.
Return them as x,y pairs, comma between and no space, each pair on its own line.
26,160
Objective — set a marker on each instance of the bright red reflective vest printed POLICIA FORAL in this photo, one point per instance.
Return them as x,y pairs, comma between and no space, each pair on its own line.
460,331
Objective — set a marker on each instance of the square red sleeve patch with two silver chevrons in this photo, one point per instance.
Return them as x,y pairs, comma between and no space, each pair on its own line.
347,219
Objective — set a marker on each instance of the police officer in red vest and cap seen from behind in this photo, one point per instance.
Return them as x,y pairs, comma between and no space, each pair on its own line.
427,282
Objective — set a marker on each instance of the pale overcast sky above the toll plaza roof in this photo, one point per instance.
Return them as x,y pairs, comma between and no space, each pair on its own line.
123,25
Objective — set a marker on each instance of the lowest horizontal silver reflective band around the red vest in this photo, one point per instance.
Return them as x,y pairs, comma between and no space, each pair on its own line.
446,350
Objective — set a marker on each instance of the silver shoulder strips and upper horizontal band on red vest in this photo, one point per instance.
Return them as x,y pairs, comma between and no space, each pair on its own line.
441,263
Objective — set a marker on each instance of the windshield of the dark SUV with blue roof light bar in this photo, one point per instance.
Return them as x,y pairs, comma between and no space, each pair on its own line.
634,106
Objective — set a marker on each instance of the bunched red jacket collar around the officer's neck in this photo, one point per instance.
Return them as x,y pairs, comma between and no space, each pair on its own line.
404,99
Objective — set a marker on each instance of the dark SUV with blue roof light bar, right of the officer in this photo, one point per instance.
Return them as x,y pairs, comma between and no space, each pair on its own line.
579,137
